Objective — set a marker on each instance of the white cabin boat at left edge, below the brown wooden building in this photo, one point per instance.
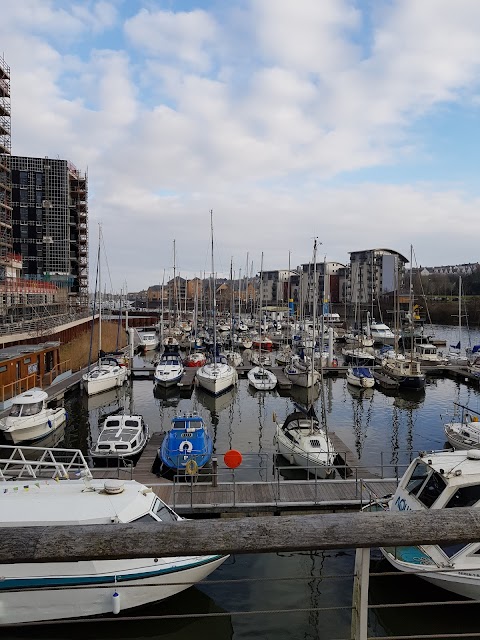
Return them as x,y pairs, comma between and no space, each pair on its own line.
30,418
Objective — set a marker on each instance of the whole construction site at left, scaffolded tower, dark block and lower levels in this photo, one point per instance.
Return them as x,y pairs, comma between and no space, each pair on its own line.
43,236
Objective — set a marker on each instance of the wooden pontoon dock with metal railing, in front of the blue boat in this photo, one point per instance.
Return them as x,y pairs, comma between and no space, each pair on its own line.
203,495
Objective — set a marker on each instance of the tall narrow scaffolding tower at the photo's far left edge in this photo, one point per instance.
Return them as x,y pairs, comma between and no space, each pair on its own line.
5,175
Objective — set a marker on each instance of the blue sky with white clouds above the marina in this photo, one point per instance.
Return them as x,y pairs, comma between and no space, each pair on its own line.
354,122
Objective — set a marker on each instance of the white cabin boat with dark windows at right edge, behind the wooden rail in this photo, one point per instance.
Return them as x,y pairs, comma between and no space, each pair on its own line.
438,480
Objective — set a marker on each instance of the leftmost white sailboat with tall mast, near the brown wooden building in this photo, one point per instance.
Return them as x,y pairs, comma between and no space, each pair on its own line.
109,372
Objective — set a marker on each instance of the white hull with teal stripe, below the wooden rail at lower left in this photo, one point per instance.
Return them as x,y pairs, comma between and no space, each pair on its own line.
147,582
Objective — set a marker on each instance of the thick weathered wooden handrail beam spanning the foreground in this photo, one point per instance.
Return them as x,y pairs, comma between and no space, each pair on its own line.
251,535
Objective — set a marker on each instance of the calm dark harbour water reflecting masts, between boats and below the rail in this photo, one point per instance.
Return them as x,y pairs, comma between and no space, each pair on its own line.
377,426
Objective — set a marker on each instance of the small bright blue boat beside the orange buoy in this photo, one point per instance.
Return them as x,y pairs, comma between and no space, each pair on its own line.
188,439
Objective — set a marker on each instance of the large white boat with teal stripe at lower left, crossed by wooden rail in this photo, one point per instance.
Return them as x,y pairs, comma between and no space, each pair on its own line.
40,591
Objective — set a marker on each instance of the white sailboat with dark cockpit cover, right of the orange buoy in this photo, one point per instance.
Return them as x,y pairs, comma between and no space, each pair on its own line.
304,442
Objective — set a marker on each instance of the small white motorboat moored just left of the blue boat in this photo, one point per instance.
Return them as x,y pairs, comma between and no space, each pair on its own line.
122,438
